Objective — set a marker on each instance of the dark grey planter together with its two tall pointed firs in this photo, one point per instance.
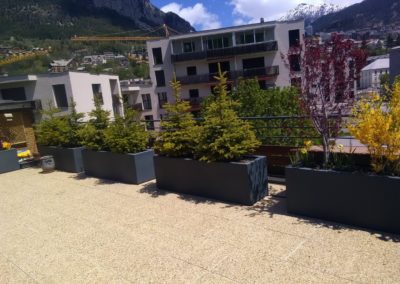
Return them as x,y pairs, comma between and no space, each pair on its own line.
211,159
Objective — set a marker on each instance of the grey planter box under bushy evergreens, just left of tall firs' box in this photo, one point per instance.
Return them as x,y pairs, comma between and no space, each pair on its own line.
128,168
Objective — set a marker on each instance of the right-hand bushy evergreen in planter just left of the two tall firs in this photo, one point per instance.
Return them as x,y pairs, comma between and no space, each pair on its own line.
126,135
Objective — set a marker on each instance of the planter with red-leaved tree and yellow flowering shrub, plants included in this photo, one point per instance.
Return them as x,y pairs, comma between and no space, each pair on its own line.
336,189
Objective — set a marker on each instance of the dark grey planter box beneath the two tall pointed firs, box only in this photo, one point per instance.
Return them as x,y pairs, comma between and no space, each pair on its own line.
237,182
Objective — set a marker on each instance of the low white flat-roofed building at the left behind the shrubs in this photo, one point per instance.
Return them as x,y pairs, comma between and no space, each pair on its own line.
58,89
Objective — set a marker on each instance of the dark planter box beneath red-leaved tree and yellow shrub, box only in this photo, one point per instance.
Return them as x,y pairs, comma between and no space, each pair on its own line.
357,199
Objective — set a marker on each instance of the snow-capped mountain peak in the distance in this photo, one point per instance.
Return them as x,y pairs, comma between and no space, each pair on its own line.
310,12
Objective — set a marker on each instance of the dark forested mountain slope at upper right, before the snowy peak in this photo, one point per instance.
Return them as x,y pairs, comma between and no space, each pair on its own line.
369,14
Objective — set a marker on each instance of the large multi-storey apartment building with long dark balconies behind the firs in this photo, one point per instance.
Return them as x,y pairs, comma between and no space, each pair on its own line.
248,51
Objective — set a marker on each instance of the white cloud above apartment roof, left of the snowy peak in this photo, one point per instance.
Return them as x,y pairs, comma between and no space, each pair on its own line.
252,10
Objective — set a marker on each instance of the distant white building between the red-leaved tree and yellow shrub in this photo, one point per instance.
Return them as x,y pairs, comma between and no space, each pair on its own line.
371,74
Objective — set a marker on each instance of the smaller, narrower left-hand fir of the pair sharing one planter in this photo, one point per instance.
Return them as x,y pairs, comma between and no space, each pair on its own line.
179,130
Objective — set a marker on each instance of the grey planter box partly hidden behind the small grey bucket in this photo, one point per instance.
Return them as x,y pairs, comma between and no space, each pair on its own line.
66,159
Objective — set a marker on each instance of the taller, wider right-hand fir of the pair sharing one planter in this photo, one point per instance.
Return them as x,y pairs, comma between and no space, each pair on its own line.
224,136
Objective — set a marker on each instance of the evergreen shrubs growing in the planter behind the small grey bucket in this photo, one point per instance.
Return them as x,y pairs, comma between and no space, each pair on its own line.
56,130
